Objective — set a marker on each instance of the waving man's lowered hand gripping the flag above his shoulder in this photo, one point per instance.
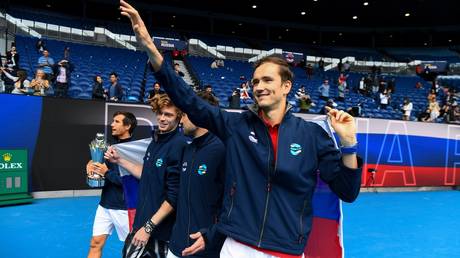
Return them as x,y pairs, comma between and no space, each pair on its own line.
344,125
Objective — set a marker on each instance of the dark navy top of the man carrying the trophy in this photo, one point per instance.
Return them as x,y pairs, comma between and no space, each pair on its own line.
112,196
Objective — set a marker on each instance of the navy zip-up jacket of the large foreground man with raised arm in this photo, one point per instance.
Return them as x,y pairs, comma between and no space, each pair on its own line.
267,199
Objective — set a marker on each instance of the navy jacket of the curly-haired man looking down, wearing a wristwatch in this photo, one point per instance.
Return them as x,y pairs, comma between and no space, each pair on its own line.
159,181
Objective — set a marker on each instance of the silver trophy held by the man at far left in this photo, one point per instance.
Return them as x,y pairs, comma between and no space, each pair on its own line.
97,148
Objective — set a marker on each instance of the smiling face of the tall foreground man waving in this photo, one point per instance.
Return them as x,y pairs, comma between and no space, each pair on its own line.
268,88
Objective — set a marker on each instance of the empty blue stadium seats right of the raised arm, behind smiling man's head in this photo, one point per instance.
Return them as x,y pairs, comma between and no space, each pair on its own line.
225,79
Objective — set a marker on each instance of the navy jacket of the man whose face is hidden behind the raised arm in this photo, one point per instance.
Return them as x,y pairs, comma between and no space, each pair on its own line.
200,195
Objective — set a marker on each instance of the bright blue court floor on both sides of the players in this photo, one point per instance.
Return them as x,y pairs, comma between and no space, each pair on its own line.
396,225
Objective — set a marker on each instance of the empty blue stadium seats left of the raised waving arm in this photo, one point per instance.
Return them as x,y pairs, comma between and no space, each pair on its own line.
90,61
